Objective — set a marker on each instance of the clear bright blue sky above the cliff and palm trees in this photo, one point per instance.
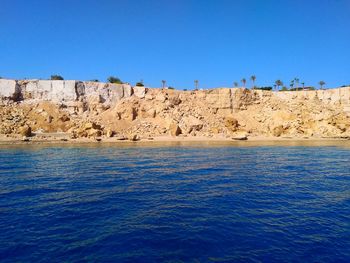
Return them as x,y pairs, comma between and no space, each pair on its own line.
215,41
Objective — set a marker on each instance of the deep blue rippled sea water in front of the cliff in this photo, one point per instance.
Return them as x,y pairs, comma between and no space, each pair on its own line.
175,203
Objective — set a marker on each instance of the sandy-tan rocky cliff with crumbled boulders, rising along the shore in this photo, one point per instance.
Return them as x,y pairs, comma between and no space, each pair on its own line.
92,109
